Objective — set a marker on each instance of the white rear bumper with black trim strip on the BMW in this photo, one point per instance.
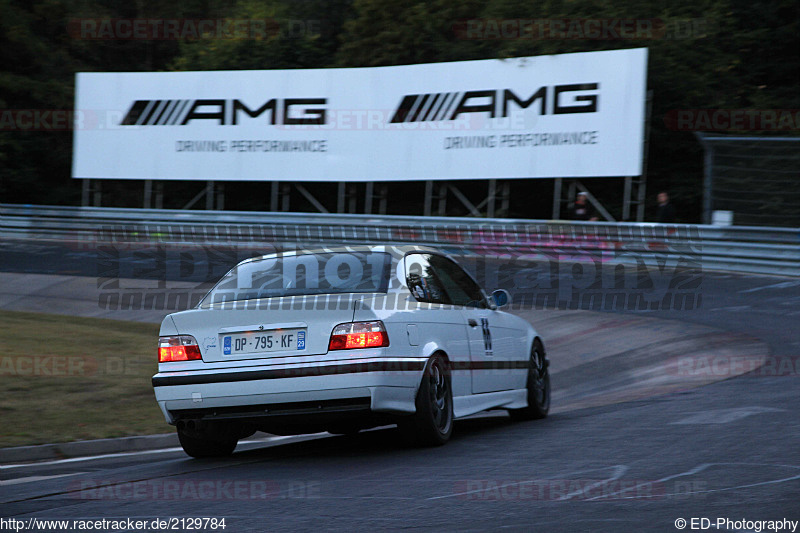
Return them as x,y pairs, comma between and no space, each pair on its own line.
379,385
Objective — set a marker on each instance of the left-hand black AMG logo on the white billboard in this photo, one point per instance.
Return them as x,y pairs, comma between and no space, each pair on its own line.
289,111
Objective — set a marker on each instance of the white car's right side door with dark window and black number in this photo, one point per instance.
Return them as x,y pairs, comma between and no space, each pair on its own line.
495,345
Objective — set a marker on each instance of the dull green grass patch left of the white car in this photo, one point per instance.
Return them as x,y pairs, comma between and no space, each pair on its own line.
91,379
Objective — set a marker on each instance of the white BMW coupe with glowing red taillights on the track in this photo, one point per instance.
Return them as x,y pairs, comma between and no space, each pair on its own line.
341,340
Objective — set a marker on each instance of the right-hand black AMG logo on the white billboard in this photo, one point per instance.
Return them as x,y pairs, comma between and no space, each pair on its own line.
448,106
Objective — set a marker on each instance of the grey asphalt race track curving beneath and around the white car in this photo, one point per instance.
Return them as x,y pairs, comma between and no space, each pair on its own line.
651,423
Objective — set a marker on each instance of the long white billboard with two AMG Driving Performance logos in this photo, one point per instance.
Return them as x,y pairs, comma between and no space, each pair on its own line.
569,115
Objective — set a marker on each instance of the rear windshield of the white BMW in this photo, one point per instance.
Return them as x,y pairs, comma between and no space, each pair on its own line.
309,274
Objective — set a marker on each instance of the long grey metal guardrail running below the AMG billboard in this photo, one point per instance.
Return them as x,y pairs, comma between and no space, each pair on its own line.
774,251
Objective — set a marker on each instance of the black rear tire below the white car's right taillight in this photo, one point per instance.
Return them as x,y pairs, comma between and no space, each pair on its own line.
432,424
